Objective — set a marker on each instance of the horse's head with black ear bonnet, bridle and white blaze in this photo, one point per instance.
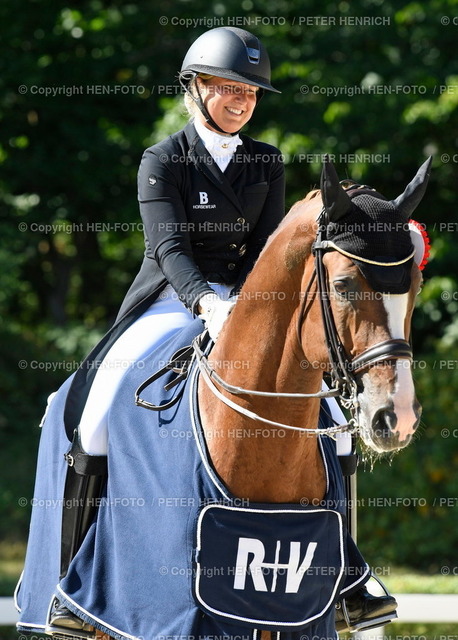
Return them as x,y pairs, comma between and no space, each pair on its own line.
367,256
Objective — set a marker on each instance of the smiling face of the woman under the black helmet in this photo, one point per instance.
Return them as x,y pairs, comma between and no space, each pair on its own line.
230,104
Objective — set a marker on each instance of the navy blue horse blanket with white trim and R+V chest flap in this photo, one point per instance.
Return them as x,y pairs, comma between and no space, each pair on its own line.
171,554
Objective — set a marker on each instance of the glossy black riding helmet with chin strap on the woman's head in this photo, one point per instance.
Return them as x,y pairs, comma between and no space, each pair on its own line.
230,53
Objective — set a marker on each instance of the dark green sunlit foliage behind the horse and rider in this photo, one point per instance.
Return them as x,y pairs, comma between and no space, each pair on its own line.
388,89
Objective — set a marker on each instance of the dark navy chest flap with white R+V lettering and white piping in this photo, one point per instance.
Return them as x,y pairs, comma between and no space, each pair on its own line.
278,567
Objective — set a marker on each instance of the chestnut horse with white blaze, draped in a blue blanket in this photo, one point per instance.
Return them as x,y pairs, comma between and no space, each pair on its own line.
277,327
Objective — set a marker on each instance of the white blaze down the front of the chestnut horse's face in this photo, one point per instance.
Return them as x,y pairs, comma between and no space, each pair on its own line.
404,392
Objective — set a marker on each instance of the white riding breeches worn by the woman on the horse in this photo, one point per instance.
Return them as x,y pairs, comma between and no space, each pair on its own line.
165,316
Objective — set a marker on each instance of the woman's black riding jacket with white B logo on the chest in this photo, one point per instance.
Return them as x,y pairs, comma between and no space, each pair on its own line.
203,225
